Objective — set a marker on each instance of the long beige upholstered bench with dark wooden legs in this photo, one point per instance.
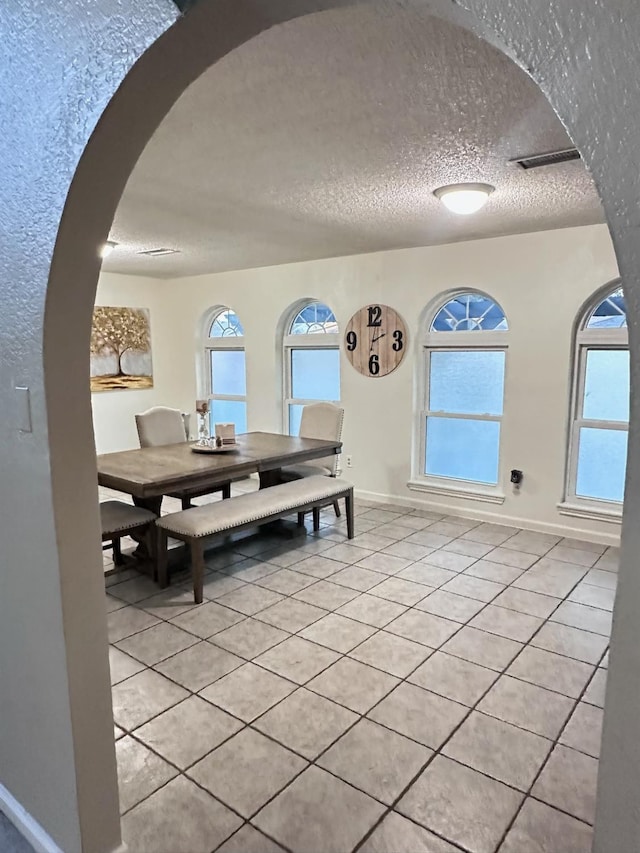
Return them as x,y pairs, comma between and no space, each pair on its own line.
200,524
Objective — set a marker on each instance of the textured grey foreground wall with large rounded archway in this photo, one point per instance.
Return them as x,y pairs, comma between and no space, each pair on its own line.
61,175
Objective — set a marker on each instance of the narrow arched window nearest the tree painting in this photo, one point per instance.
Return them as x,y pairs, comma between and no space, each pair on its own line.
225,369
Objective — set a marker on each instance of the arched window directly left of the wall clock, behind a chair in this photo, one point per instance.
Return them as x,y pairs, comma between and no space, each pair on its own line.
311,360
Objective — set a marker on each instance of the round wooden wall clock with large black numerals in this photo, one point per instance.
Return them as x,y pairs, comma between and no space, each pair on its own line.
375,340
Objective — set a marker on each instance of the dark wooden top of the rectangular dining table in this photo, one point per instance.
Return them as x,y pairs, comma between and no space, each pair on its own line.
151,472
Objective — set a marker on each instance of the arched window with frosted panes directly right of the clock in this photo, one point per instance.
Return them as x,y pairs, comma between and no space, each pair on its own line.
463,372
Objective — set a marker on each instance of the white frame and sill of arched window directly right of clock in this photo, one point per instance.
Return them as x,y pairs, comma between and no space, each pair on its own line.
453,341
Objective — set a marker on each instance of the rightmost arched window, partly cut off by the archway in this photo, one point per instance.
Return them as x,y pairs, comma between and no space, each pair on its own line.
600,416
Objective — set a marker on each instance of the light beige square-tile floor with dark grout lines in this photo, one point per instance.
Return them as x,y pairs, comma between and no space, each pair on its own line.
434,685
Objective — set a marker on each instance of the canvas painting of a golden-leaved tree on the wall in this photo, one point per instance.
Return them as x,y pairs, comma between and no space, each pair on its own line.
120,349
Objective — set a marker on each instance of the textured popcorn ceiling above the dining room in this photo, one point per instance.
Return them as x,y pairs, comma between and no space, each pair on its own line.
326,137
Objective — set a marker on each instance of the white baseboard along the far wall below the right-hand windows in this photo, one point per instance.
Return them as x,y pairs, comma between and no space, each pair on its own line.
557,529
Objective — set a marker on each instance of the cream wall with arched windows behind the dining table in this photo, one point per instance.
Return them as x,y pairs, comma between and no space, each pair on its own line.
541,280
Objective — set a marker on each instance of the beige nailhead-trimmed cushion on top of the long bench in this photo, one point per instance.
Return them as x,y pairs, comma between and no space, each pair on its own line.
243,509
